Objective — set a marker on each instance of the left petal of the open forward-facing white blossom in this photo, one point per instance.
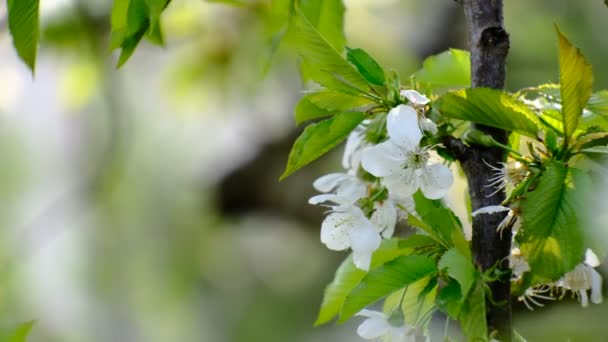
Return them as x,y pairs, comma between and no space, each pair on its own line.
383,159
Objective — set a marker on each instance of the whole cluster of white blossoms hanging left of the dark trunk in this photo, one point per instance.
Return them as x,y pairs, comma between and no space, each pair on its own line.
399,167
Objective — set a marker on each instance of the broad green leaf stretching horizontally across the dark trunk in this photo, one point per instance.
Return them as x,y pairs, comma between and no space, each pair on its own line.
489,107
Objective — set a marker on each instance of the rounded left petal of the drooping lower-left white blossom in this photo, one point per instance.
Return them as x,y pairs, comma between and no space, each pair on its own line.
335,230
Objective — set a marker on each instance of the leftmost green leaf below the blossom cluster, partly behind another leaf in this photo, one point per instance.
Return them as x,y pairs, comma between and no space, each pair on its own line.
348,276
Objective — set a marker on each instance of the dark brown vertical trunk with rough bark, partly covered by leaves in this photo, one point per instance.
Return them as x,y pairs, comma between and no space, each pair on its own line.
489,48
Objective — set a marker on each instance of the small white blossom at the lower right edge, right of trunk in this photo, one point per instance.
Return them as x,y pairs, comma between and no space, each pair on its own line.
583,278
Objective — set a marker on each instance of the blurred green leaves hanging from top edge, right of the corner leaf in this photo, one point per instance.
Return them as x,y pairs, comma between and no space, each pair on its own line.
131,20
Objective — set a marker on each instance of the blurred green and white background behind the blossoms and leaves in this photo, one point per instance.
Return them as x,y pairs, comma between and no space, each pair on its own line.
142,204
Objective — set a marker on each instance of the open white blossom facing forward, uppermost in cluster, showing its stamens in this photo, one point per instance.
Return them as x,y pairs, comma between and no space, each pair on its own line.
404,166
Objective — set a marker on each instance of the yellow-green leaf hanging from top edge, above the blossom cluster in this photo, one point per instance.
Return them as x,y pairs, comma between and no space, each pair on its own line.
327,16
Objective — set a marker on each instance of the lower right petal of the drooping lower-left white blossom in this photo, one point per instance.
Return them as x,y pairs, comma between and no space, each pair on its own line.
364,240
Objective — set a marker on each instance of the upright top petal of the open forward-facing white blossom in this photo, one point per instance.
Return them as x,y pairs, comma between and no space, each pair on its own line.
402,126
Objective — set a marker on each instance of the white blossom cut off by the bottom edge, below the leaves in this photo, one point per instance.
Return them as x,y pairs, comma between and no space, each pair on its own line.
377,327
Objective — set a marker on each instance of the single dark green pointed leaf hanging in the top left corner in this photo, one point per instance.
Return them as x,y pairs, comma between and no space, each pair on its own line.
23,23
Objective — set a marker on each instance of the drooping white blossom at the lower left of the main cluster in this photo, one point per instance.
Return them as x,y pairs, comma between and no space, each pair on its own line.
346,226
